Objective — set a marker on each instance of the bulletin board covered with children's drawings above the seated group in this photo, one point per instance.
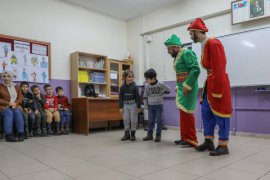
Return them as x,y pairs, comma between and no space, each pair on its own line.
28,60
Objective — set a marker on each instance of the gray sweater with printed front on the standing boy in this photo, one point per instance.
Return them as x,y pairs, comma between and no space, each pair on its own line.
154,93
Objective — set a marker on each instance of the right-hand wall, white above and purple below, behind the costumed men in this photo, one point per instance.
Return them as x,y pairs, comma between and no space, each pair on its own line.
251,110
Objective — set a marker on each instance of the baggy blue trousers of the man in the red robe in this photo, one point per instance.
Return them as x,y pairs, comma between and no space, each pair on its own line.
210,120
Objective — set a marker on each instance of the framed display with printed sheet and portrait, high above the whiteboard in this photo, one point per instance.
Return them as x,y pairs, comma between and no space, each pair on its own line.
247,10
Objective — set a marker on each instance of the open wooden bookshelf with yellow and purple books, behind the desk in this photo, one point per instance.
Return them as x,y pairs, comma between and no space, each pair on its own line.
88,68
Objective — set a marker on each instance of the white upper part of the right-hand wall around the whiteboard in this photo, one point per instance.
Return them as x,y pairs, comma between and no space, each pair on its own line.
184,11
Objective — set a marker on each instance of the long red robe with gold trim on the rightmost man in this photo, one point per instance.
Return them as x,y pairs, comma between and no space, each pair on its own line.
217,82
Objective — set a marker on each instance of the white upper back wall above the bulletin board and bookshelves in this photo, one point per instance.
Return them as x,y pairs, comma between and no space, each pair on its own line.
68,29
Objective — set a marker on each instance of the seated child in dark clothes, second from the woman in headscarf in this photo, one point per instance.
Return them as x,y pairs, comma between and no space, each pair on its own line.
40,117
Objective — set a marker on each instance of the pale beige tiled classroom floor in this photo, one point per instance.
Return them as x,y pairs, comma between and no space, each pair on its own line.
102,156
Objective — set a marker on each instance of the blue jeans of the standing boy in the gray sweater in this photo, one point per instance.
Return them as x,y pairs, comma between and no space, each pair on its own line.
155,115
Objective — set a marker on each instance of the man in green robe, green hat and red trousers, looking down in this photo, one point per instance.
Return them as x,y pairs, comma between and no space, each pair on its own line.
187,71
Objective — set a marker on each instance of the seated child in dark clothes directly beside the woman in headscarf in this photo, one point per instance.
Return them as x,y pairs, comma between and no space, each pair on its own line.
29,111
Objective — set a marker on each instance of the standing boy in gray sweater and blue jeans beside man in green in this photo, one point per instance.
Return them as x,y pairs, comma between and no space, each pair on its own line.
153,94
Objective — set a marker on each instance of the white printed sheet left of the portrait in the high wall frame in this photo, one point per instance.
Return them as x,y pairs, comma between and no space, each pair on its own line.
240,11
